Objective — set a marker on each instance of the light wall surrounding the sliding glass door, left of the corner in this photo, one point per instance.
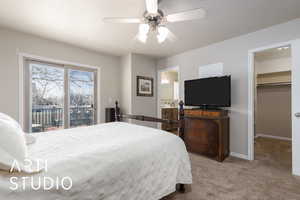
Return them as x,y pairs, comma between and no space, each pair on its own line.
14,42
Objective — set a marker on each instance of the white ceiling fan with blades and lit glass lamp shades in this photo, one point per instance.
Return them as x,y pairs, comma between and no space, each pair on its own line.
155,21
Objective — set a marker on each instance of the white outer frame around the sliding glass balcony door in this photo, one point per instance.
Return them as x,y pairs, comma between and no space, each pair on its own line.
22,57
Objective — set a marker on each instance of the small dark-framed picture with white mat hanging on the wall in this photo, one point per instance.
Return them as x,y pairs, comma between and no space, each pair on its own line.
144,86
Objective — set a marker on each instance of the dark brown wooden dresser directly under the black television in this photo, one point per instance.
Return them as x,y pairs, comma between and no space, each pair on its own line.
207,132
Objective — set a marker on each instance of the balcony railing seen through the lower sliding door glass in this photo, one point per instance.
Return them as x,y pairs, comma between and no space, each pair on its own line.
46,118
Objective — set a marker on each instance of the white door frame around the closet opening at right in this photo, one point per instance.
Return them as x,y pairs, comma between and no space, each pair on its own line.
252,92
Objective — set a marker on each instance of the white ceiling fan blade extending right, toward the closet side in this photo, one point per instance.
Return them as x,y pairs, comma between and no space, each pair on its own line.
187,15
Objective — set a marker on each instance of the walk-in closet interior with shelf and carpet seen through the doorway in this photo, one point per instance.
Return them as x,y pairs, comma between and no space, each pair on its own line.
273,111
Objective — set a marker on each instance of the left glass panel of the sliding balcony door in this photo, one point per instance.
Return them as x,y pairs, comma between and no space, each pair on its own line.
47,97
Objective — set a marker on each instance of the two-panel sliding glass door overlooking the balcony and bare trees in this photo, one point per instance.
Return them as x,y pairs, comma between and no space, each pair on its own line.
59,96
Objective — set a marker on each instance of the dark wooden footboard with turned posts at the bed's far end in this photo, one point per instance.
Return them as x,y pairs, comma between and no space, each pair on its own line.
119,116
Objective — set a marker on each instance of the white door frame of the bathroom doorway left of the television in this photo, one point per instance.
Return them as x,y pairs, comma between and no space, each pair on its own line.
158,89
